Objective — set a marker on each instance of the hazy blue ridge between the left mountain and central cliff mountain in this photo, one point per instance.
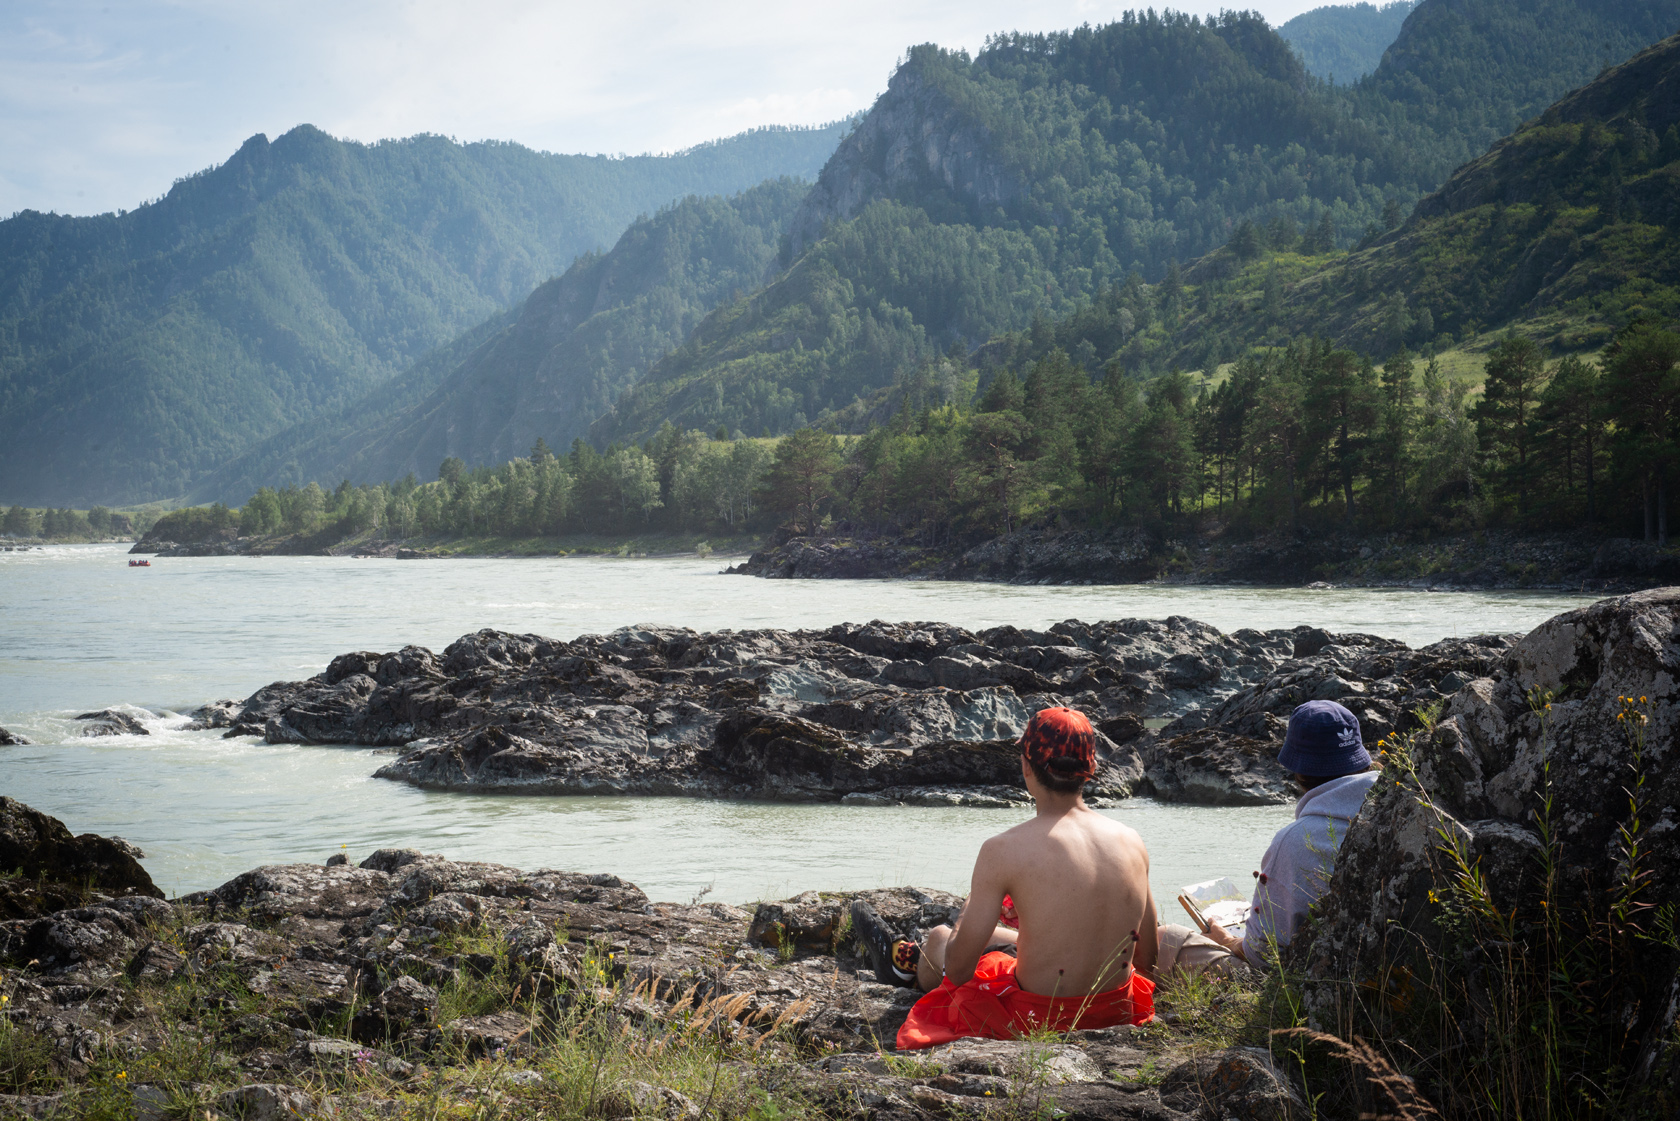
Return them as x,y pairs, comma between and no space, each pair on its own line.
547,371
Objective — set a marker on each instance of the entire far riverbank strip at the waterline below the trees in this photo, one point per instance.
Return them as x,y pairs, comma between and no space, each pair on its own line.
1493,560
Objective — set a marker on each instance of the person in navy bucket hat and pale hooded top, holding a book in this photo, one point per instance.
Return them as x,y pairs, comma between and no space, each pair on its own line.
1328,760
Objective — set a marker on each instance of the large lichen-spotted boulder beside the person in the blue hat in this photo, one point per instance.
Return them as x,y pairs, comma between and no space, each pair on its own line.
1560,755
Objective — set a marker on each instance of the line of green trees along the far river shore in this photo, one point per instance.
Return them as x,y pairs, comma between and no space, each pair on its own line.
1299,443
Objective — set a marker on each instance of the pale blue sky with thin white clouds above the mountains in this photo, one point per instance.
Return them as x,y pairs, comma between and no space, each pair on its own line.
107,103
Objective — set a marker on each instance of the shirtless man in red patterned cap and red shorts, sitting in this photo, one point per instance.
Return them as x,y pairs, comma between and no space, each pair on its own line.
1079,885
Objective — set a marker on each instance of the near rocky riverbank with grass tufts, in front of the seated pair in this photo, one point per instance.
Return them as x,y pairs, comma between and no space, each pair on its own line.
412,986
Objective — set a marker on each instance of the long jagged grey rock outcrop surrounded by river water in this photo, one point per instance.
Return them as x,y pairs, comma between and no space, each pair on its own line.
859,713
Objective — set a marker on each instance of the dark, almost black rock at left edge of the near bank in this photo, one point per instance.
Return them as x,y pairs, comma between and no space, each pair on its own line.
53,868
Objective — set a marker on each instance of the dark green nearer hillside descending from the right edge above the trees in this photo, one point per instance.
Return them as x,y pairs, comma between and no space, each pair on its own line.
1567,229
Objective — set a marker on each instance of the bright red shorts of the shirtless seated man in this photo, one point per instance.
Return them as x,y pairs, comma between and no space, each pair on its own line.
992,1006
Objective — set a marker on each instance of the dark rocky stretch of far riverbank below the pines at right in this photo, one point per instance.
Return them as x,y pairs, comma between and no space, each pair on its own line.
1128,555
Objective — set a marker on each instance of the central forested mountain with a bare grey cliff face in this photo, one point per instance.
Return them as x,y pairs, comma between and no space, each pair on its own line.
984,191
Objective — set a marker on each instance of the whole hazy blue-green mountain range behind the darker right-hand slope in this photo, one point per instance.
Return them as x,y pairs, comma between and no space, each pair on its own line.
980,197
